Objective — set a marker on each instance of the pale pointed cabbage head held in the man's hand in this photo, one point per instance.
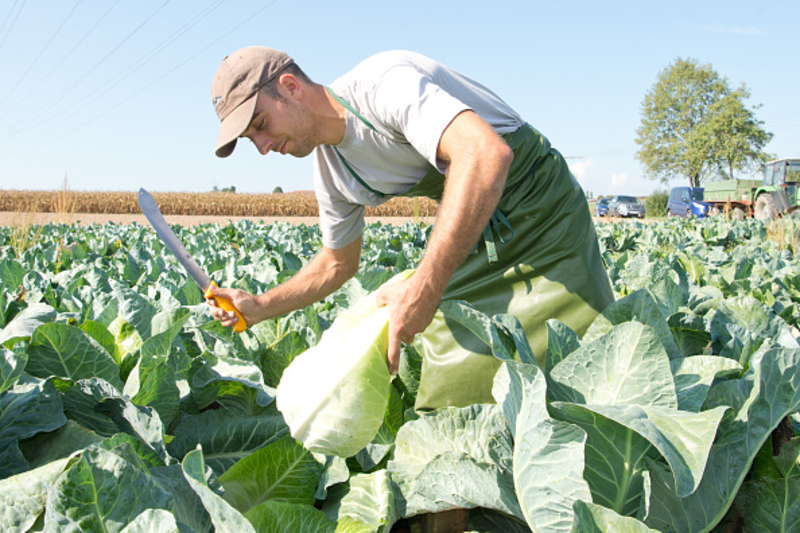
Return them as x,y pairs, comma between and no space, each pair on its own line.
333,396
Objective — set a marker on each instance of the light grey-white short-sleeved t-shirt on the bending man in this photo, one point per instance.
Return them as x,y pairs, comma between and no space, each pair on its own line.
410,100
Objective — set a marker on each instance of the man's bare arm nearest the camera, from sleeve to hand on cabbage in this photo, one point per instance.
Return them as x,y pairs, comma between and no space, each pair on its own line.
478,167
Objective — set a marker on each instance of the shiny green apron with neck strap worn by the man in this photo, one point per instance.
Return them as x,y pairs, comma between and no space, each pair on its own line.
545,263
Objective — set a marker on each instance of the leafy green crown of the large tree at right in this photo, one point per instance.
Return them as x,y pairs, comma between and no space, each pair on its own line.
692,121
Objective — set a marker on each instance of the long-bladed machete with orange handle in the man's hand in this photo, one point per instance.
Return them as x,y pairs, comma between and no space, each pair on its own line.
150,209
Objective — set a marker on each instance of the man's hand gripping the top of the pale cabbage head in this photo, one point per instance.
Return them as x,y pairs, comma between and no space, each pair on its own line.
410,312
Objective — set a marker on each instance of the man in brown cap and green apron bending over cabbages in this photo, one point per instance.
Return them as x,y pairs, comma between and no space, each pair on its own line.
513,233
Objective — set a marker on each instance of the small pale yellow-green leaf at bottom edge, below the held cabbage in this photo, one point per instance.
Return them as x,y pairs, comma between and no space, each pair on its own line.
368,498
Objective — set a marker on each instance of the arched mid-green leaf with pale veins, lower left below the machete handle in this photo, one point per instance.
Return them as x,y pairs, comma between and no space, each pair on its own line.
67,352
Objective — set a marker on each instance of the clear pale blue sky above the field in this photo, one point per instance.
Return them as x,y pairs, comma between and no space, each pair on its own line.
114,95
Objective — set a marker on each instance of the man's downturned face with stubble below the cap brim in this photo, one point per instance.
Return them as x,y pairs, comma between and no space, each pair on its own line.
282,125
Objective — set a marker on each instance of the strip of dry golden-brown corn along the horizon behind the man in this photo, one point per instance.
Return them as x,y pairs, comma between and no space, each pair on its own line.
294,204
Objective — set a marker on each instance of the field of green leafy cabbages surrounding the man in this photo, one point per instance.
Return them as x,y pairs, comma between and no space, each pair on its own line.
125,407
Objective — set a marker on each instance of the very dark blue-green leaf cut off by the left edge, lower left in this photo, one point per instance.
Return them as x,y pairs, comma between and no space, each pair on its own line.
30,407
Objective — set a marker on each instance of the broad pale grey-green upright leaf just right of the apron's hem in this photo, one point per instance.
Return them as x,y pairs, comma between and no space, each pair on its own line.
626,366
